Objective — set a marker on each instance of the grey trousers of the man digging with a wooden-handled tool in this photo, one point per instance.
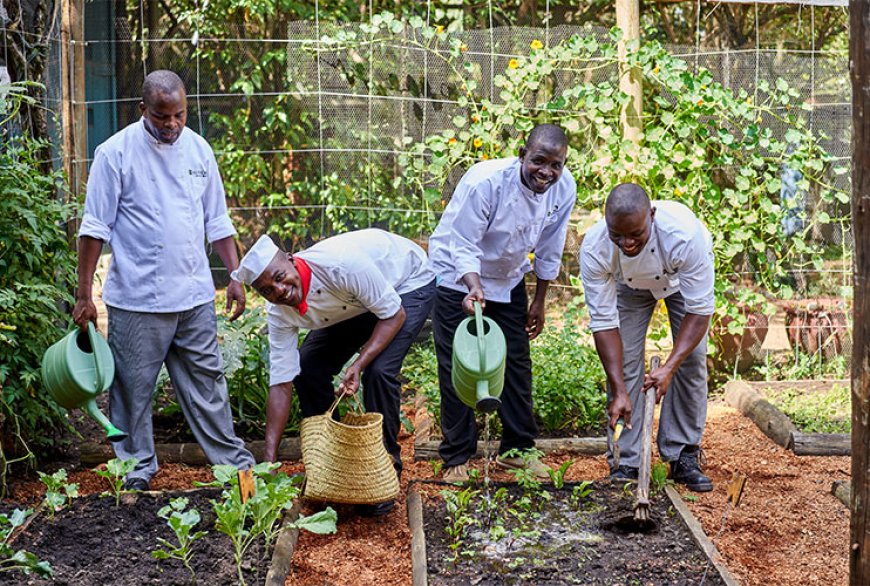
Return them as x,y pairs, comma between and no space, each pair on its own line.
684,407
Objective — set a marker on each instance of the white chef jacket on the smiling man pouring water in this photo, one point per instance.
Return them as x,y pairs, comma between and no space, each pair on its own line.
493,222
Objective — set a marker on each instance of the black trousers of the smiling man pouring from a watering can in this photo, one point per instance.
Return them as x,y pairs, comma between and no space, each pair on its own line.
458,425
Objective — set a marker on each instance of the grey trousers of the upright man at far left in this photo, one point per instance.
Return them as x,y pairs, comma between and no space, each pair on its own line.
187,342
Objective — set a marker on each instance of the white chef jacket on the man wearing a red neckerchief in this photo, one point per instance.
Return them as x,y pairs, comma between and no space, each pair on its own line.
366,270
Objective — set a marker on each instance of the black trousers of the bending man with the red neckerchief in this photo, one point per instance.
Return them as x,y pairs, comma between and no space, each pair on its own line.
325,351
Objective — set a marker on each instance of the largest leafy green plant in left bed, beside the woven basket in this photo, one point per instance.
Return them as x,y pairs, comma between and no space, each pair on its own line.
259,516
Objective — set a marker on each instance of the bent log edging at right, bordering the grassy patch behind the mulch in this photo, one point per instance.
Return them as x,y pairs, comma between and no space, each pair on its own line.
777,426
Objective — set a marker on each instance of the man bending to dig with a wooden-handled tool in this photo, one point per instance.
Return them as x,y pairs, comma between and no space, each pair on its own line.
641,252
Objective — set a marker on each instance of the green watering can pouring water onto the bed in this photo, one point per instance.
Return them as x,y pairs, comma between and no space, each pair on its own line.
479,352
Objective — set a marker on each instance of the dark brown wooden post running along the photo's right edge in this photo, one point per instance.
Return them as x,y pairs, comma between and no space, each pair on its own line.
859,51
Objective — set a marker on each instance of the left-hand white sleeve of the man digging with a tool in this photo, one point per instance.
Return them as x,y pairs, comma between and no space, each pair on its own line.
599,286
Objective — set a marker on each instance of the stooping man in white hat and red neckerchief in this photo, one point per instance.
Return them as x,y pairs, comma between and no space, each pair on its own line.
367,291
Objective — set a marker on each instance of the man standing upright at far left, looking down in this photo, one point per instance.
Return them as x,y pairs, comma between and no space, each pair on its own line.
155,195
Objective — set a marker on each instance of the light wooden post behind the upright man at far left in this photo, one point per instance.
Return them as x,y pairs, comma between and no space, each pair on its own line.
74,109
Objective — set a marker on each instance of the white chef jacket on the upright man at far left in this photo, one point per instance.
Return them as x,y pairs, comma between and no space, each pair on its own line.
155,204
